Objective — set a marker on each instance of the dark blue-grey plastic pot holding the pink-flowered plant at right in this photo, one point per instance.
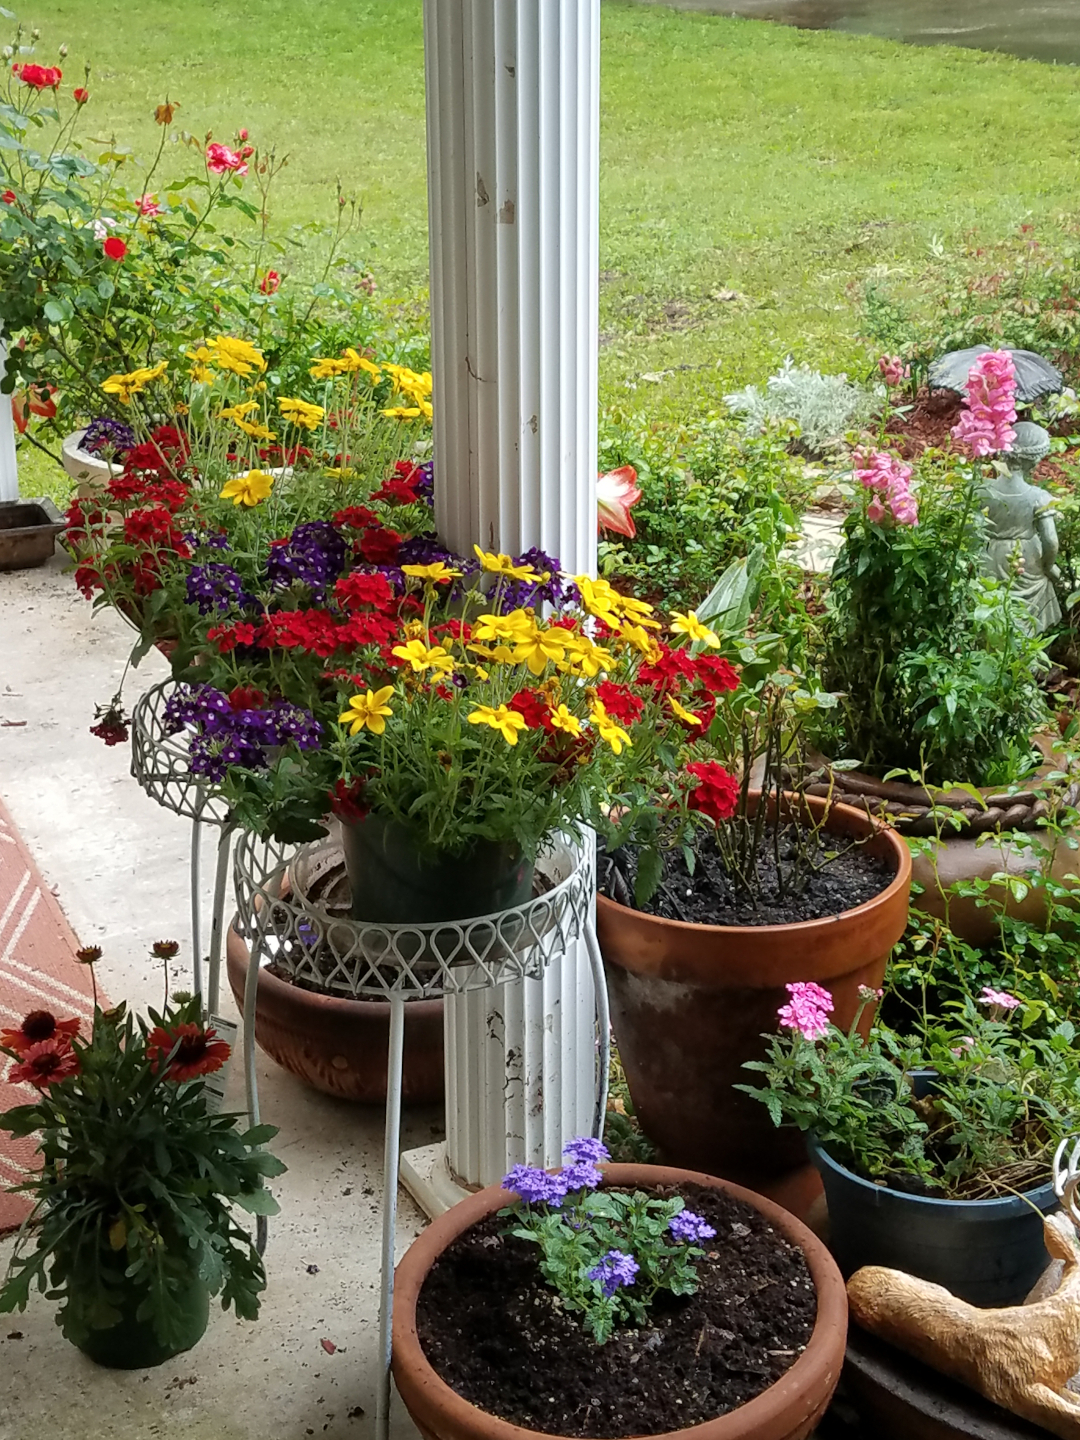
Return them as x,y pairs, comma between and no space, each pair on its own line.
987,1252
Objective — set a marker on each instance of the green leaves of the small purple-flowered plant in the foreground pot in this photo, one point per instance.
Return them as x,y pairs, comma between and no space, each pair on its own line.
590,1225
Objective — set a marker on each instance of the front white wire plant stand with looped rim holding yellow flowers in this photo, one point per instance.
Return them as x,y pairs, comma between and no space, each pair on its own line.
398,964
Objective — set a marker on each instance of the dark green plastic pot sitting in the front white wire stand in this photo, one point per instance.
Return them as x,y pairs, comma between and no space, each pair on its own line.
394,885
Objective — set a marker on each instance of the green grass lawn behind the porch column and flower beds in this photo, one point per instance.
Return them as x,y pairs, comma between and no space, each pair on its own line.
738,158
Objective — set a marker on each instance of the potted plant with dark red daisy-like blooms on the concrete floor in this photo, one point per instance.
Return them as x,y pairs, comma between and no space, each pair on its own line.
132,1226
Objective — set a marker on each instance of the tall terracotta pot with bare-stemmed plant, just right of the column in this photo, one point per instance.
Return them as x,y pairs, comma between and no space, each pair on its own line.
755,889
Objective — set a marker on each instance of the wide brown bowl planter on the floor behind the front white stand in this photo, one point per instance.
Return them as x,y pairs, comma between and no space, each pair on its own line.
339,1045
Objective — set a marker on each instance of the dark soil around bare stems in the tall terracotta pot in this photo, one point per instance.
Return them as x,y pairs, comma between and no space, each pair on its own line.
709,896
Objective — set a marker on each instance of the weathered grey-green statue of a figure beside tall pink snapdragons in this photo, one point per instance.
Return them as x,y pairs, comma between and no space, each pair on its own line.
1022,523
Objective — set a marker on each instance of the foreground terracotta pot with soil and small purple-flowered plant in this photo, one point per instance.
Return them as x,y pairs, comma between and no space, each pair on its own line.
624,1301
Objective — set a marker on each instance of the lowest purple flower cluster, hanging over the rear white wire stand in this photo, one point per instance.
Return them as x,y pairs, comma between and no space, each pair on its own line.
230,735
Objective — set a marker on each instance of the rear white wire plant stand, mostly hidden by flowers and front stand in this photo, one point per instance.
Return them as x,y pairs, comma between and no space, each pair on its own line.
161,764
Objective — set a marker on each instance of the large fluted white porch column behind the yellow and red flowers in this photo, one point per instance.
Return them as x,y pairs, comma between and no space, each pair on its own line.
513,126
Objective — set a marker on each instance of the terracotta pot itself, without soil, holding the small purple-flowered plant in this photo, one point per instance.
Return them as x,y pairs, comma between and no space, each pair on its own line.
788,1410
